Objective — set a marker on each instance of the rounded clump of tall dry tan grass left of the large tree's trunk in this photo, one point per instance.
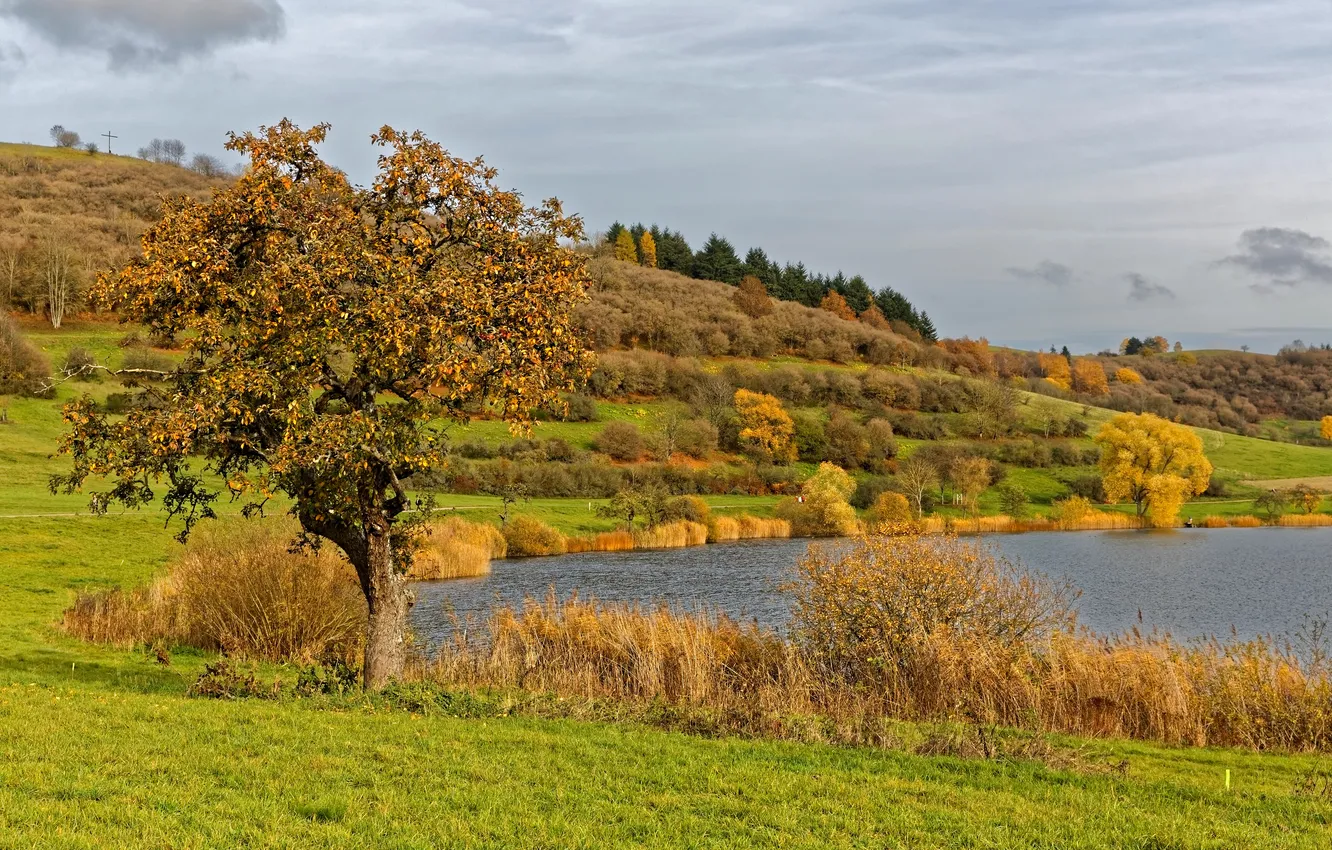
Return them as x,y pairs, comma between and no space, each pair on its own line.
239,591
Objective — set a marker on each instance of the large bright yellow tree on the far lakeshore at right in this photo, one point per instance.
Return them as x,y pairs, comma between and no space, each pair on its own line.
1153,463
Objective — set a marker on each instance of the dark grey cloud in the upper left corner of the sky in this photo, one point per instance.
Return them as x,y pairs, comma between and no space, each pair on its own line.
149,33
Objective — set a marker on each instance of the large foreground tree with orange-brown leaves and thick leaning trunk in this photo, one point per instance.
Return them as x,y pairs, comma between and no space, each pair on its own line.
328,330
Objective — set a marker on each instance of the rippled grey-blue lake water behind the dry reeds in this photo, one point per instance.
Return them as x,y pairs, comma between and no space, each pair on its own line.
1191,583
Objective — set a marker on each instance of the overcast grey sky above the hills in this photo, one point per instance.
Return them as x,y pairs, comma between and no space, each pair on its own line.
1037,173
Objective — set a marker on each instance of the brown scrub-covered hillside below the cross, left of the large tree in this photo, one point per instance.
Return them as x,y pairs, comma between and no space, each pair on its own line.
78,214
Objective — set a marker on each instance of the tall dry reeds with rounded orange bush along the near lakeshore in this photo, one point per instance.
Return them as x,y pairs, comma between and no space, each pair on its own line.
905,630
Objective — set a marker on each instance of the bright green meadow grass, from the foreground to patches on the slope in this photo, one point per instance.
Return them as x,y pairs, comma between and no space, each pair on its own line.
103,748
